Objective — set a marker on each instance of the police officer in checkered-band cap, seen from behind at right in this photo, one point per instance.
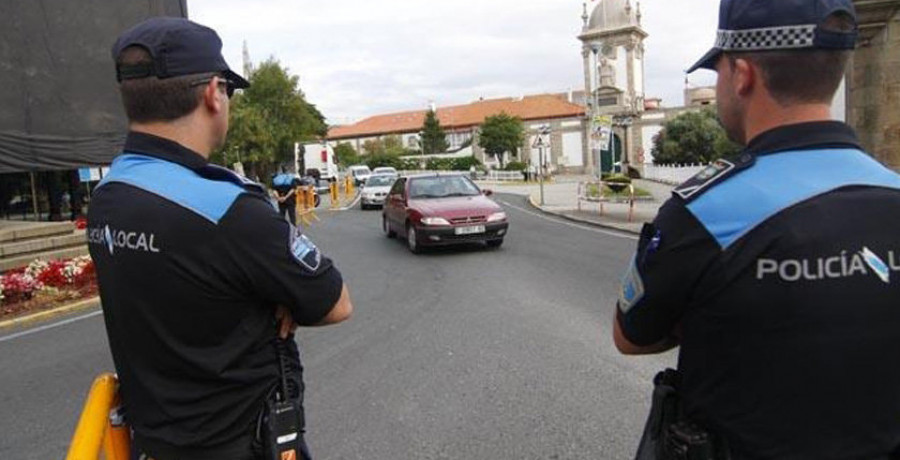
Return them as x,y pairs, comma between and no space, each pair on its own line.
777,272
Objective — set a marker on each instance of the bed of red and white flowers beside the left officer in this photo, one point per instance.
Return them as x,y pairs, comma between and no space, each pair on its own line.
43,285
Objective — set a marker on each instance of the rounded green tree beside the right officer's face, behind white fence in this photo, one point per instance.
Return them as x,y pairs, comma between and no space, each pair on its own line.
692,137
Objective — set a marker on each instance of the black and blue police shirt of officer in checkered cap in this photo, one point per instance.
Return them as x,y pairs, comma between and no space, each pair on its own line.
781,272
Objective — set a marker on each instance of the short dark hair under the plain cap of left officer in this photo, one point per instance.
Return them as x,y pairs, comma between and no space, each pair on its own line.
157,99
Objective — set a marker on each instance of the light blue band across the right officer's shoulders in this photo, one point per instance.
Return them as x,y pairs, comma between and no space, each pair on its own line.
778,181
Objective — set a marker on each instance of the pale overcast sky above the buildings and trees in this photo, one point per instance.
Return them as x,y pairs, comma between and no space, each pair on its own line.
359,58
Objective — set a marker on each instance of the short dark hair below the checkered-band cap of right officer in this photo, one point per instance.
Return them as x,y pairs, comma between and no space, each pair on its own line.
803,76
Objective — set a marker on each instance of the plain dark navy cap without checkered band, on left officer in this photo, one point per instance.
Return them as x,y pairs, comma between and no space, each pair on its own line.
178,47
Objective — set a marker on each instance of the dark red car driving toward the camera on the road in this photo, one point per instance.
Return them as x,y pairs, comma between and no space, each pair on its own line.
442,209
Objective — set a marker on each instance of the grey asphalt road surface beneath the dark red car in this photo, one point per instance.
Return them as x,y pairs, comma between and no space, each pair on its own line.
463,353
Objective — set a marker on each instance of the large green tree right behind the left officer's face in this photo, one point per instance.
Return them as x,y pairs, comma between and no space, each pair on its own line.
267,119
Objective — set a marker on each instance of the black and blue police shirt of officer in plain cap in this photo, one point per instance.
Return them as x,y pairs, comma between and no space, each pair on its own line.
192,261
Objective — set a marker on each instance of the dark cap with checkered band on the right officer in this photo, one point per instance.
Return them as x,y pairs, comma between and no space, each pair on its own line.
769,25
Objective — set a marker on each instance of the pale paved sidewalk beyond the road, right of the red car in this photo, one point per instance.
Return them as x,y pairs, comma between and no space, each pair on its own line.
560,198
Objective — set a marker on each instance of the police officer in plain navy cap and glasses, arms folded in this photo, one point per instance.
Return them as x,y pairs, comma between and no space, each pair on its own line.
199,276
